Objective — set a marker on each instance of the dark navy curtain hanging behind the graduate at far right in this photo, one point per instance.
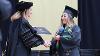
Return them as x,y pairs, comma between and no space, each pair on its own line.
89,21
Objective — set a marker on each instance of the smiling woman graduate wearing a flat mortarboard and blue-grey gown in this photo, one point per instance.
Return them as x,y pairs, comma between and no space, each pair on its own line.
68,36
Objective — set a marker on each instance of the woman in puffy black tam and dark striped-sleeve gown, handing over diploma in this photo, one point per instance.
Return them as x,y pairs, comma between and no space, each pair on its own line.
16,46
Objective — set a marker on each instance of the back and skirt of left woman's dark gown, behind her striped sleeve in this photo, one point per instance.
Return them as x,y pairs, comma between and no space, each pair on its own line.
15,46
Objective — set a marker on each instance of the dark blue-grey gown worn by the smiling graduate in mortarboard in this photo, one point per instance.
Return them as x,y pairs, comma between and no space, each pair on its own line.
65,44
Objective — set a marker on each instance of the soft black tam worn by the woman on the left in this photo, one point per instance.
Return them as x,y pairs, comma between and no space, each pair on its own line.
21,6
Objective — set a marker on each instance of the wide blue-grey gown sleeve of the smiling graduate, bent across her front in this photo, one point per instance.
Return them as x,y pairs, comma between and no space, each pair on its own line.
73,37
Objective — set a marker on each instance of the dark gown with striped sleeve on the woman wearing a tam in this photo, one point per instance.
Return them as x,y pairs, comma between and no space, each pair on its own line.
15,45
